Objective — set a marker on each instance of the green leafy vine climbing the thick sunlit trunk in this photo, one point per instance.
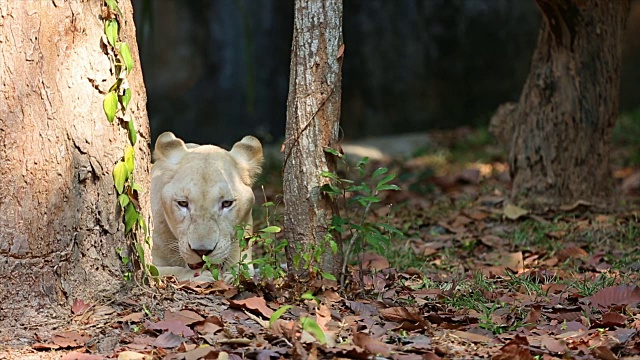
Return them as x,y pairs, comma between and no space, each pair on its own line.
115,108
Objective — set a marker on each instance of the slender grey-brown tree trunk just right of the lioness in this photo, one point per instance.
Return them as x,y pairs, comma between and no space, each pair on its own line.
313,113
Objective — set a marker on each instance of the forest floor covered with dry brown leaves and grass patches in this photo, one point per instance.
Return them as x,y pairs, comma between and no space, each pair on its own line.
469,278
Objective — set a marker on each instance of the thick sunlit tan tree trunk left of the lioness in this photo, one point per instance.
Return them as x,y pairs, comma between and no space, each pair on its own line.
60,221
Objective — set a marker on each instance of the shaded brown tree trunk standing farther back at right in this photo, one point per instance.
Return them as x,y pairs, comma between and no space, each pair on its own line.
559,133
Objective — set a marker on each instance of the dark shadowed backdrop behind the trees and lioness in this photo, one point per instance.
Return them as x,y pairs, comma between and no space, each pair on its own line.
218,70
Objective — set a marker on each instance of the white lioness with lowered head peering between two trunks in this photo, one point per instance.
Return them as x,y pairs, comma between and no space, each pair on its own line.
199,194
